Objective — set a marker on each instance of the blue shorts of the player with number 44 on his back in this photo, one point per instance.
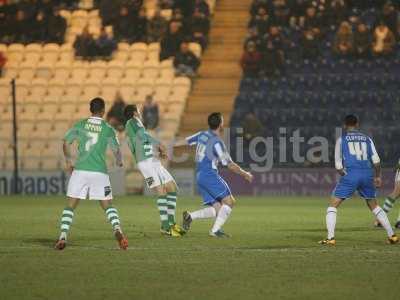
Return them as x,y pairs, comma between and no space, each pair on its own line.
361,181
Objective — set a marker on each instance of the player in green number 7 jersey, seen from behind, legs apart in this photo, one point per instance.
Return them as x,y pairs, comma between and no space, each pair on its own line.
89,177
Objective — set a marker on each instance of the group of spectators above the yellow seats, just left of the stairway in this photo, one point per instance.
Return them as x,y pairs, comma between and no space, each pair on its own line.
190,22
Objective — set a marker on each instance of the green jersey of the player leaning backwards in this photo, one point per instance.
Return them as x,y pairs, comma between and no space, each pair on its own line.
139,140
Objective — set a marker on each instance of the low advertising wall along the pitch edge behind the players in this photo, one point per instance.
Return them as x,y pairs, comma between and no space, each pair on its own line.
277,182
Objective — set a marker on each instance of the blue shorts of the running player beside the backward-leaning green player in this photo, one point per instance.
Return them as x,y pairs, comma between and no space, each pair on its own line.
212,187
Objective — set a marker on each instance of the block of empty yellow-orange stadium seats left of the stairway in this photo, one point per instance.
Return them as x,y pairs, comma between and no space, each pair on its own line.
53,88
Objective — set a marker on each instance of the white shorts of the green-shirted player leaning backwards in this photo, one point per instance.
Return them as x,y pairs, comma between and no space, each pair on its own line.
154,172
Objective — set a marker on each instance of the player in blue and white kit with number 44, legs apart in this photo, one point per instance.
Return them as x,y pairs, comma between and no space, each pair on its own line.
358,164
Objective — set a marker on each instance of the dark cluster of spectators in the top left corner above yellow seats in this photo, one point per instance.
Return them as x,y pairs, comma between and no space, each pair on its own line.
29,21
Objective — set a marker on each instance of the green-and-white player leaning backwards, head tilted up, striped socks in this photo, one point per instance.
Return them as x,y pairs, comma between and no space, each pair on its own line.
157,178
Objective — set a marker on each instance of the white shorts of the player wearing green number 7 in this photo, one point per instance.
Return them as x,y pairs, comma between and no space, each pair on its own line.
92,185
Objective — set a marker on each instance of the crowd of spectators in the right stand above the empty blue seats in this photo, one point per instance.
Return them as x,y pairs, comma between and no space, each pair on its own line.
298,29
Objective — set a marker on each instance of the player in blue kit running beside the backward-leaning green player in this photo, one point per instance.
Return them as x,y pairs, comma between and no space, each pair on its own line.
216,194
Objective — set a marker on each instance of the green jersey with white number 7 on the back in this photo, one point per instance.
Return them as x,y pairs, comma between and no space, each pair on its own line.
93,135
